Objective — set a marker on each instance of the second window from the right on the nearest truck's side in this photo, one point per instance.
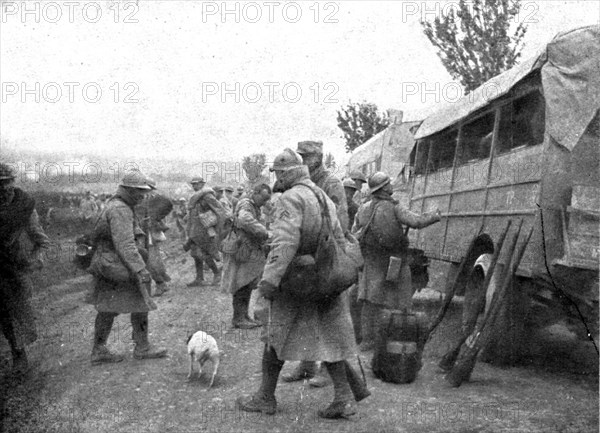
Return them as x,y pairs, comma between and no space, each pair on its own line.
476,140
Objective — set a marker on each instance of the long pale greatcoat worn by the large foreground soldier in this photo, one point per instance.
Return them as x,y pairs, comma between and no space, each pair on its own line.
302,330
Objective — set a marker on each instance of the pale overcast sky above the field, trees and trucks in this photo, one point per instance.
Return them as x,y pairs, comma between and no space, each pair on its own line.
173,60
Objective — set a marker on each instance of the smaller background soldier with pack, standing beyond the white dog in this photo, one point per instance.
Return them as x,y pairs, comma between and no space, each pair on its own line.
206,218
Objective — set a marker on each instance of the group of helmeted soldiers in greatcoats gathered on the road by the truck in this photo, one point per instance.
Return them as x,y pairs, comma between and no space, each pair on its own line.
255,255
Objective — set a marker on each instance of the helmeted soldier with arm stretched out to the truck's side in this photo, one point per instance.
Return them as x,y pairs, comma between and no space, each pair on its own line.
382,238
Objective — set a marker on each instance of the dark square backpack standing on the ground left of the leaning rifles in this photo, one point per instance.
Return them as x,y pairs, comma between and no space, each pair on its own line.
399,347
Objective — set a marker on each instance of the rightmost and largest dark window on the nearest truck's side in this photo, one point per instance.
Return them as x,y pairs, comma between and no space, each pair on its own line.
522,123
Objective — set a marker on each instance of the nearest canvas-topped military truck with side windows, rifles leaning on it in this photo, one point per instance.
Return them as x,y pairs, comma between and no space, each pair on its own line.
524,145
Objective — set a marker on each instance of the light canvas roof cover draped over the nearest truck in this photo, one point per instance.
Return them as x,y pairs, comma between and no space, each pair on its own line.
570,70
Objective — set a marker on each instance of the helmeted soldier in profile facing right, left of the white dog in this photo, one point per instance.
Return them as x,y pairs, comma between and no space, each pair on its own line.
117,252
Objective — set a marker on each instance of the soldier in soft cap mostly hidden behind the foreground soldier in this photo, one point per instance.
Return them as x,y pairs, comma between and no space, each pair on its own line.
312,156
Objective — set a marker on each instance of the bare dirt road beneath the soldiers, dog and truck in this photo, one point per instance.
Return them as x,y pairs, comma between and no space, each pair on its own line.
557,391
